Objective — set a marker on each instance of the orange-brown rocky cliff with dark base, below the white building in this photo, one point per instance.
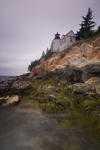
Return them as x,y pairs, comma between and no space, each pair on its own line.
80,61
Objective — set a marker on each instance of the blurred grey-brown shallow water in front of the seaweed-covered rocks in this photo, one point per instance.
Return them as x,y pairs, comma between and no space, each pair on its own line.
27,129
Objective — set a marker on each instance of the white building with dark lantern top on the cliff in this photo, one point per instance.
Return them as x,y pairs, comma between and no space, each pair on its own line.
65,41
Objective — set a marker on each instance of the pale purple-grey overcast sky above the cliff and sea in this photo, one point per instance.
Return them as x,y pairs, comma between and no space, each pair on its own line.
27,27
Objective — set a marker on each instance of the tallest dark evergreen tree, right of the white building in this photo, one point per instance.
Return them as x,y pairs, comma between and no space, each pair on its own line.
86,26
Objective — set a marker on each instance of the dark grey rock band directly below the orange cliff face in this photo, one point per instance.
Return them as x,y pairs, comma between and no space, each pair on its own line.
75,74
